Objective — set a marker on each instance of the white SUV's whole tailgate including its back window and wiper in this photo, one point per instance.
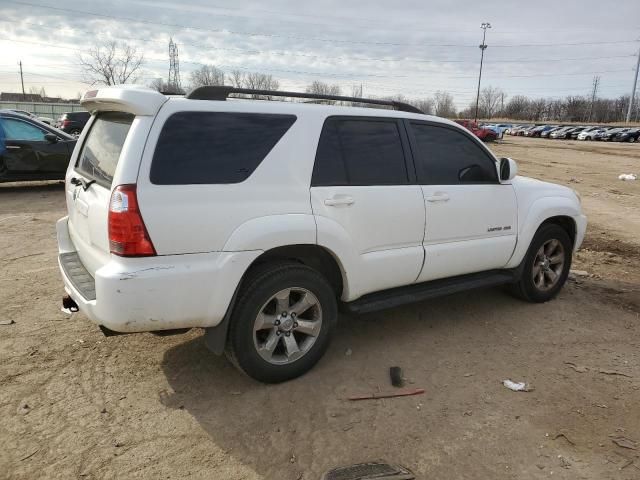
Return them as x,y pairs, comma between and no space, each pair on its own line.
89,184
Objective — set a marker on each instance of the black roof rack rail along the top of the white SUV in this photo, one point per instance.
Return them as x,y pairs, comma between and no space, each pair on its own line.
221,92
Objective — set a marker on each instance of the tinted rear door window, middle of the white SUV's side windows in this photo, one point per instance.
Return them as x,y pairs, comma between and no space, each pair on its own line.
360,152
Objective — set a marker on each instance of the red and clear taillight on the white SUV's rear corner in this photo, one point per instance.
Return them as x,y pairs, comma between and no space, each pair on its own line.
128,237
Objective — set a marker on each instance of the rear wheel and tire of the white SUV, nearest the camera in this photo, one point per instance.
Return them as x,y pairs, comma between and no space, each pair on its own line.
282,322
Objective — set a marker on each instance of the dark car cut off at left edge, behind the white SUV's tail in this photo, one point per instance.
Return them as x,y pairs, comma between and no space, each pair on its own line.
34,150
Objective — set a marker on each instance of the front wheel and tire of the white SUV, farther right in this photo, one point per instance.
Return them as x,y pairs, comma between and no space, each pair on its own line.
546,265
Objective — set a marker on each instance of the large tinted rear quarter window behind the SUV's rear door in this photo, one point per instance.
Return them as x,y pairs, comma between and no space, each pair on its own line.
214,147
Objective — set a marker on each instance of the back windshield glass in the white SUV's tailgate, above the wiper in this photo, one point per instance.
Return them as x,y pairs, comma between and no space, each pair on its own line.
101,150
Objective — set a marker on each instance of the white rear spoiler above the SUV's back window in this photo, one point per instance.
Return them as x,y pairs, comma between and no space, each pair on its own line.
131,99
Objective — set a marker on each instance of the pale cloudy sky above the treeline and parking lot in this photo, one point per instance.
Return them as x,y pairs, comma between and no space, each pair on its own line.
414,48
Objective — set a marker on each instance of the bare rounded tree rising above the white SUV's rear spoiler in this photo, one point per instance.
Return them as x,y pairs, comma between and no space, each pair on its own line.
111,64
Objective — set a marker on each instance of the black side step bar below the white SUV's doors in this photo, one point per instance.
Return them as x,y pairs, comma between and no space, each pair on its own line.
423,291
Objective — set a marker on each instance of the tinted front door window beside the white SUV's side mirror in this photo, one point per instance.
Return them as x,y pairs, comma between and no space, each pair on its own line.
448,157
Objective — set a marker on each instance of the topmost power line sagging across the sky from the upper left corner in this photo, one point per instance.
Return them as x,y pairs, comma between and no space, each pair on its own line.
306,38
